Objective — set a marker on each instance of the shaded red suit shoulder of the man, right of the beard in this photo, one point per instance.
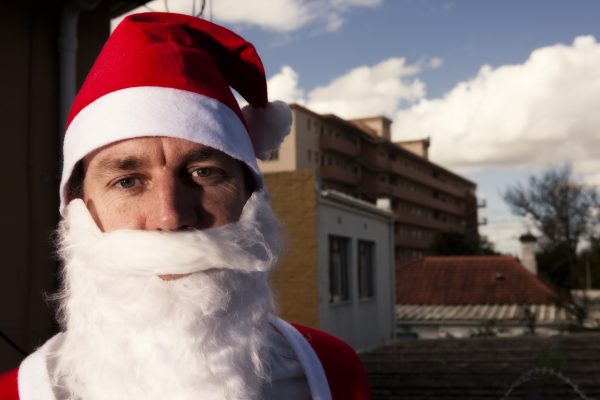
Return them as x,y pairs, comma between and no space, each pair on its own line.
344,370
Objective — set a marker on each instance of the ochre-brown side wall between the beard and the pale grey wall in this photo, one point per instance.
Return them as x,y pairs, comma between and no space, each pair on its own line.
295,280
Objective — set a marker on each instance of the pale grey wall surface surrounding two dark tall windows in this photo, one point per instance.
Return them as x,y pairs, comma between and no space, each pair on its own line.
362,323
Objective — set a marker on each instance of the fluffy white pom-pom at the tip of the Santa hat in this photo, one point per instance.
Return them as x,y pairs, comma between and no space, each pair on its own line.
268,126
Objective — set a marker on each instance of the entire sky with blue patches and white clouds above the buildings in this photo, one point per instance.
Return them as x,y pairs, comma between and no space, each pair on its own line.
503,88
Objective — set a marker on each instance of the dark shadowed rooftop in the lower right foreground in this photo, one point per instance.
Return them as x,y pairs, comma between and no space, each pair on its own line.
486,368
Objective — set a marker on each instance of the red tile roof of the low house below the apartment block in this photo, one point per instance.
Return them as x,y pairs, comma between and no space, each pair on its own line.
469,280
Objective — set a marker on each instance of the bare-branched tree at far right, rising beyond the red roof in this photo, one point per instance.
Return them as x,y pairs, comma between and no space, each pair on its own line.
563,211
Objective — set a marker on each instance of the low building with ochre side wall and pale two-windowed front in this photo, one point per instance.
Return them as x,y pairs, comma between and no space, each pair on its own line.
338,272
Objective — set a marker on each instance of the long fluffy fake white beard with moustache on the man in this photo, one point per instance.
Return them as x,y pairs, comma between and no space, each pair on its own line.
131,335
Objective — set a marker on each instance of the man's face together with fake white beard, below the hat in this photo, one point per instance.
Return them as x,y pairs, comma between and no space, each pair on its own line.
165,184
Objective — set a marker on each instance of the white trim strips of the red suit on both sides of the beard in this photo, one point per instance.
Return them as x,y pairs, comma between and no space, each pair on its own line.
34,378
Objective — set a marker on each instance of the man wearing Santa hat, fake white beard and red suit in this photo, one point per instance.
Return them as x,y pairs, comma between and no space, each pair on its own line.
167,236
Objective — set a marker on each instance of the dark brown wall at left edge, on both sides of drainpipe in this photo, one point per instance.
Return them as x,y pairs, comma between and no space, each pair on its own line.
30,164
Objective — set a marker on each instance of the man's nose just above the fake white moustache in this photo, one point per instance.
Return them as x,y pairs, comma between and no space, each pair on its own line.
171,206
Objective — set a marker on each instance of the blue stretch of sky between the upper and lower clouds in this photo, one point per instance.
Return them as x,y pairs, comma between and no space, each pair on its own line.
465,34
